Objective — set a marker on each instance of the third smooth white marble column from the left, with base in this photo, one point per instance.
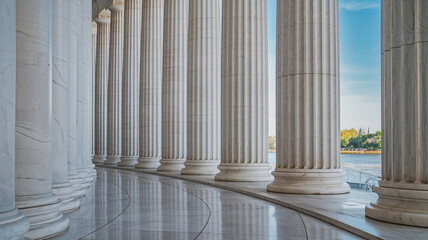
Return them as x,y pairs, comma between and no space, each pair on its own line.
60,82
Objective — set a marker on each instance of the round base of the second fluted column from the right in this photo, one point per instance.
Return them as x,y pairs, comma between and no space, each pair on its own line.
308,181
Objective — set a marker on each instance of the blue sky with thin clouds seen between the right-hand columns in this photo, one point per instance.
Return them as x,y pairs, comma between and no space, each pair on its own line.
359,36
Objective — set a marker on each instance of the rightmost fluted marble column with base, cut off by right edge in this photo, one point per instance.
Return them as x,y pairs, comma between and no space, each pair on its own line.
403,189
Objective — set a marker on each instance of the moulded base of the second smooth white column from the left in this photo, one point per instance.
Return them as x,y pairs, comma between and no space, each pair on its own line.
43,212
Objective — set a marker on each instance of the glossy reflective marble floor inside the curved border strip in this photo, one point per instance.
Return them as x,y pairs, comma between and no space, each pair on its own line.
131,205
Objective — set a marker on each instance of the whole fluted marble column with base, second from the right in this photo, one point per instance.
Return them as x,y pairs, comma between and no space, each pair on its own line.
307,93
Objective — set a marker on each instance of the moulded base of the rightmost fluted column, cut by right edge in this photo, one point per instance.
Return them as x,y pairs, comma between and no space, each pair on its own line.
401,206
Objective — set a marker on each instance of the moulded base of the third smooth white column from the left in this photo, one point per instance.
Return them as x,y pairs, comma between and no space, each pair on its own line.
64,191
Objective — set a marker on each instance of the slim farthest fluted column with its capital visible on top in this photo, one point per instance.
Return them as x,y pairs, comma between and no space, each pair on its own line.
101,79
